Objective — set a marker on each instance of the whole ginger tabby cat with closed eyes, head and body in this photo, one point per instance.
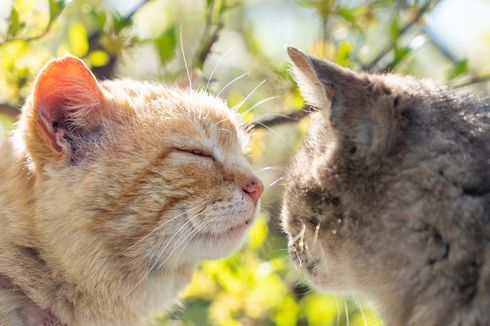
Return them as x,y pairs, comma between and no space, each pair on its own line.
111,193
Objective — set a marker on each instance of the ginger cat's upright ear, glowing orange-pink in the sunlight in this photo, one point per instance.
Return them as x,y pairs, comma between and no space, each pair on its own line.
67,98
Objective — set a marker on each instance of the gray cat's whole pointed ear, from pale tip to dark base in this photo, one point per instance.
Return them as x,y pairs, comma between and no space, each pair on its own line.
357,106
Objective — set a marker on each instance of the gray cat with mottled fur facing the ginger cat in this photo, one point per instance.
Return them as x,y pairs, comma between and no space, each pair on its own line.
390,195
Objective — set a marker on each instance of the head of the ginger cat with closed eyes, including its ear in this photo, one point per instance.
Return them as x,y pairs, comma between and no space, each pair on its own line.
132,178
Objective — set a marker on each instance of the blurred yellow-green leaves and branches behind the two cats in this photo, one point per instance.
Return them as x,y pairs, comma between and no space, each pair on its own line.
236,48
